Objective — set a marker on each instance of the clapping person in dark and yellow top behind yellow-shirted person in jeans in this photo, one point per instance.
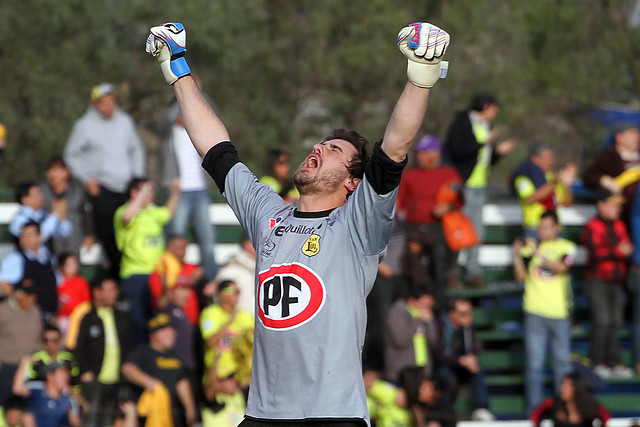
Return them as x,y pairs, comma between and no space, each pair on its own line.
539,188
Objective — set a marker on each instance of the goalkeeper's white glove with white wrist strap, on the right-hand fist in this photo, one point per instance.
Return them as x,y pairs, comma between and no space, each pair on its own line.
424,46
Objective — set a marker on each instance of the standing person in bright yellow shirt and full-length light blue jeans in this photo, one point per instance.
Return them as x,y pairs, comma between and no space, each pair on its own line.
544,268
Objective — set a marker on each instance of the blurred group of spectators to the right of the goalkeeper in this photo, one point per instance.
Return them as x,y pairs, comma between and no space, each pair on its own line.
433,337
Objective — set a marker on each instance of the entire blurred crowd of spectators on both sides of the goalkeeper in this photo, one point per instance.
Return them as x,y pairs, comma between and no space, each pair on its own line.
153,336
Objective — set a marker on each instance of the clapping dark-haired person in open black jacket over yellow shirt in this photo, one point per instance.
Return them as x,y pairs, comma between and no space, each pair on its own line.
471,146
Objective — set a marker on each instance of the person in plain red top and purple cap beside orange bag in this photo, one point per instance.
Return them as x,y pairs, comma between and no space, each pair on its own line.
421,214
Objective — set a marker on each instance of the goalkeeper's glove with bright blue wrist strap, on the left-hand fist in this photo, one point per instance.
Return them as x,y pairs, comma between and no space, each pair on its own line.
168,43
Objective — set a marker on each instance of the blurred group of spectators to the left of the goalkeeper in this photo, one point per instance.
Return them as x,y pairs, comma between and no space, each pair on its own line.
144,336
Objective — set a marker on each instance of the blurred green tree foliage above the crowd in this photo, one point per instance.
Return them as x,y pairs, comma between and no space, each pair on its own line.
285,72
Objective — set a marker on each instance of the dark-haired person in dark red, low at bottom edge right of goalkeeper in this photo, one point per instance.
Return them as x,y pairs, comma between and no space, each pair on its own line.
573,407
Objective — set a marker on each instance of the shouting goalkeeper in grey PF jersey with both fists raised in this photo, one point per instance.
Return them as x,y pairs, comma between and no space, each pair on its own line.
317,261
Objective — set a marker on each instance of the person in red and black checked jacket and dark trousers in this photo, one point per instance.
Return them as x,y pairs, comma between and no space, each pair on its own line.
608,246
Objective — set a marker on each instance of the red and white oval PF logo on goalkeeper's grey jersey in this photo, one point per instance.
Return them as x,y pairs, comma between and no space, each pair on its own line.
289,295
